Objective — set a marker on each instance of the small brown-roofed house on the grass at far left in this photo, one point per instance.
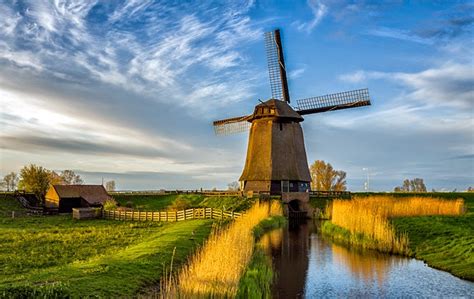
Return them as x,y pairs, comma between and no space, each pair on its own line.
66,197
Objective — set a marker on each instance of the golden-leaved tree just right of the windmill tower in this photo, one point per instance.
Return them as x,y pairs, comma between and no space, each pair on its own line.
325,178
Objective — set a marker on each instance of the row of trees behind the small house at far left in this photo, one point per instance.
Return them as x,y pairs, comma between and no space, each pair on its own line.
37,179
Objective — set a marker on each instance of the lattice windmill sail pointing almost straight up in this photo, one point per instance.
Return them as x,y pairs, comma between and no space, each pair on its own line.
276,66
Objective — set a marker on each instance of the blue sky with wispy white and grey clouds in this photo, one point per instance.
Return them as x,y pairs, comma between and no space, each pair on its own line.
128,90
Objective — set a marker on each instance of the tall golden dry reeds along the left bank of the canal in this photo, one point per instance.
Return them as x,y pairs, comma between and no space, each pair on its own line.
215,270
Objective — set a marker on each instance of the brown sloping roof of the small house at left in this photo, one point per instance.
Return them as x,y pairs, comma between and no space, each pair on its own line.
93,194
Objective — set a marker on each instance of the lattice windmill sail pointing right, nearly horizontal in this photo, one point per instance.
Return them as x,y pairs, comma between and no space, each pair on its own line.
336,101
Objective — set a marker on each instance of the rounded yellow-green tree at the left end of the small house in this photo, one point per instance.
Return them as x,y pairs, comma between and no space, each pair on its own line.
35,179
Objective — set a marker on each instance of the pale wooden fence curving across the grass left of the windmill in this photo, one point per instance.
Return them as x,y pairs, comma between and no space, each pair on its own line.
171,216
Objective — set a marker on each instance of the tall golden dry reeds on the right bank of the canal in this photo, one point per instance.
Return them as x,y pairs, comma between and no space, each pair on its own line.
370,216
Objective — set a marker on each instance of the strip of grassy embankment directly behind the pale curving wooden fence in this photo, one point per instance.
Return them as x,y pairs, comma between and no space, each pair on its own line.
161,202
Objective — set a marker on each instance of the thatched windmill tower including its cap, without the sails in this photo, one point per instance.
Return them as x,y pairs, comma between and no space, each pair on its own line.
276,157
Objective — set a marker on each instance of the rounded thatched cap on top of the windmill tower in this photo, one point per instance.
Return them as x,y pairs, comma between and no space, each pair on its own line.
275,109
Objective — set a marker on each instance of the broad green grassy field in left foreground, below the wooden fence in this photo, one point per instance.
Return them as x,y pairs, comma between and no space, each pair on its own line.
94,257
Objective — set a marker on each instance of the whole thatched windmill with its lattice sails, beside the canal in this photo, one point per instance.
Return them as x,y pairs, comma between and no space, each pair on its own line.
276,158
